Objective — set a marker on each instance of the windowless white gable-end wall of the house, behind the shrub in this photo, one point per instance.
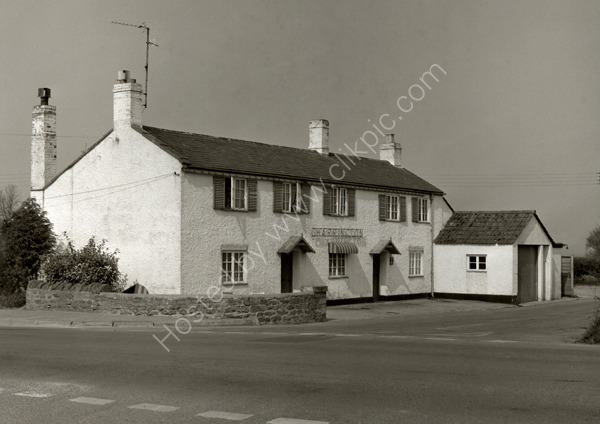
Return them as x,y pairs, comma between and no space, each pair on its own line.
124,191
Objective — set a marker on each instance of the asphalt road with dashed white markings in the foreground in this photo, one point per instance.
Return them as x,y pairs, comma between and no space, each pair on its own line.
512,365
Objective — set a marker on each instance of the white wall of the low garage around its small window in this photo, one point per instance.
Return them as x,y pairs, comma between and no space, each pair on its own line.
452,276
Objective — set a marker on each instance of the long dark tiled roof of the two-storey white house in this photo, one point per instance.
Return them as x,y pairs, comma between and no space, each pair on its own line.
198,151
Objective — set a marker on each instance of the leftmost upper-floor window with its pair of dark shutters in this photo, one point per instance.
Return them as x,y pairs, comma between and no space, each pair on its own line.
233,193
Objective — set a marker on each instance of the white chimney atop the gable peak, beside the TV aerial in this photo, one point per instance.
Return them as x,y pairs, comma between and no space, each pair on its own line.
127,102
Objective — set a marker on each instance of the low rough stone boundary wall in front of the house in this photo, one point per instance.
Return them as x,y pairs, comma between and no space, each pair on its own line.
304,307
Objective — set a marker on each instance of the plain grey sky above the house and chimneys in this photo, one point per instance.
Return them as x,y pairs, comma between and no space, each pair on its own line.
513,124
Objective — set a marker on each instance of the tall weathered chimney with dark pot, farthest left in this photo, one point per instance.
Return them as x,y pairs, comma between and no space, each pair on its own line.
43,142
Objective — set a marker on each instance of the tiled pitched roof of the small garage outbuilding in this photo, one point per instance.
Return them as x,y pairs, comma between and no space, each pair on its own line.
479,227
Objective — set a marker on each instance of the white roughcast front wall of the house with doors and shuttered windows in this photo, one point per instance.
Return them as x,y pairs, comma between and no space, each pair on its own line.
204,230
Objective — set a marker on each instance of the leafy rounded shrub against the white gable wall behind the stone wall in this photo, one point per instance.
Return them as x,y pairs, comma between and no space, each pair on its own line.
93,263
